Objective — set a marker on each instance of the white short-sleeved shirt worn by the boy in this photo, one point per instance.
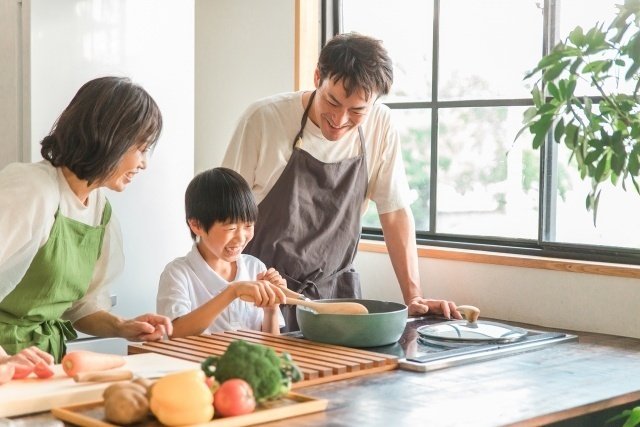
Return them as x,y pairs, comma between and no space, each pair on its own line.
189,282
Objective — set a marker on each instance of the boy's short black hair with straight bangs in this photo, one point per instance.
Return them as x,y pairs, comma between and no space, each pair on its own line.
219,195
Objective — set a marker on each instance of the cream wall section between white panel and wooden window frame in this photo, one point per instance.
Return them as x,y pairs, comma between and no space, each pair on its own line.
244,51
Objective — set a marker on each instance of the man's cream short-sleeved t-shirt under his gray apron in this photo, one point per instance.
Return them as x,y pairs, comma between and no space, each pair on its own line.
263,142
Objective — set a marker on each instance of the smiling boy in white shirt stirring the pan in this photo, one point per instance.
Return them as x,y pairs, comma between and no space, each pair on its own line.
215,287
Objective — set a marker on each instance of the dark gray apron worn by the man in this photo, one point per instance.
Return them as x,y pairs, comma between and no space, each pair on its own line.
308,225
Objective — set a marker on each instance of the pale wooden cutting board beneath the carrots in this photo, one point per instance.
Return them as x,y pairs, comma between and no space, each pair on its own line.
31,394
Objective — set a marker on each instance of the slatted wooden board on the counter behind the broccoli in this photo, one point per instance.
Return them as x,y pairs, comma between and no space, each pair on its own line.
318,362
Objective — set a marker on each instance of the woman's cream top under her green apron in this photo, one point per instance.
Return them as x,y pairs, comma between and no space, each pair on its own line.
30,194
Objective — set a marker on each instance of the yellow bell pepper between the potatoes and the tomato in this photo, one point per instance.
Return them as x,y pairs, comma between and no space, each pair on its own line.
182,398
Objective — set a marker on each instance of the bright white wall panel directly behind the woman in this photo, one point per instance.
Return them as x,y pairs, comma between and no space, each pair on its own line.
152,42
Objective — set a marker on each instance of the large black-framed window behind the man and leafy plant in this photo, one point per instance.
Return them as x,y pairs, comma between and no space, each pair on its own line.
458,98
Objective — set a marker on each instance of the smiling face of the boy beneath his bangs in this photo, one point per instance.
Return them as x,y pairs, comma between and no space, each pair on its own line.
223,242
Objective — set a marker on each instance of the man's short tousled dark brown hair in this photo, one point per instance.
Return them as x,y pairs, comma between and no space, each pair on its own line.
361,62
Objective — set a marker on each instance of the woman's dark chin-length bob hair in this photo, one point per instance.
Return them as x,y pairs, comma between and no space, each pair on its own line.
105,118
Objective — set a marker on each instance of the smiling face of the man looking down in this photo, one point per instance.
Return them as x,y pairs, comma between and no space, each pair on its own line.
334,112
